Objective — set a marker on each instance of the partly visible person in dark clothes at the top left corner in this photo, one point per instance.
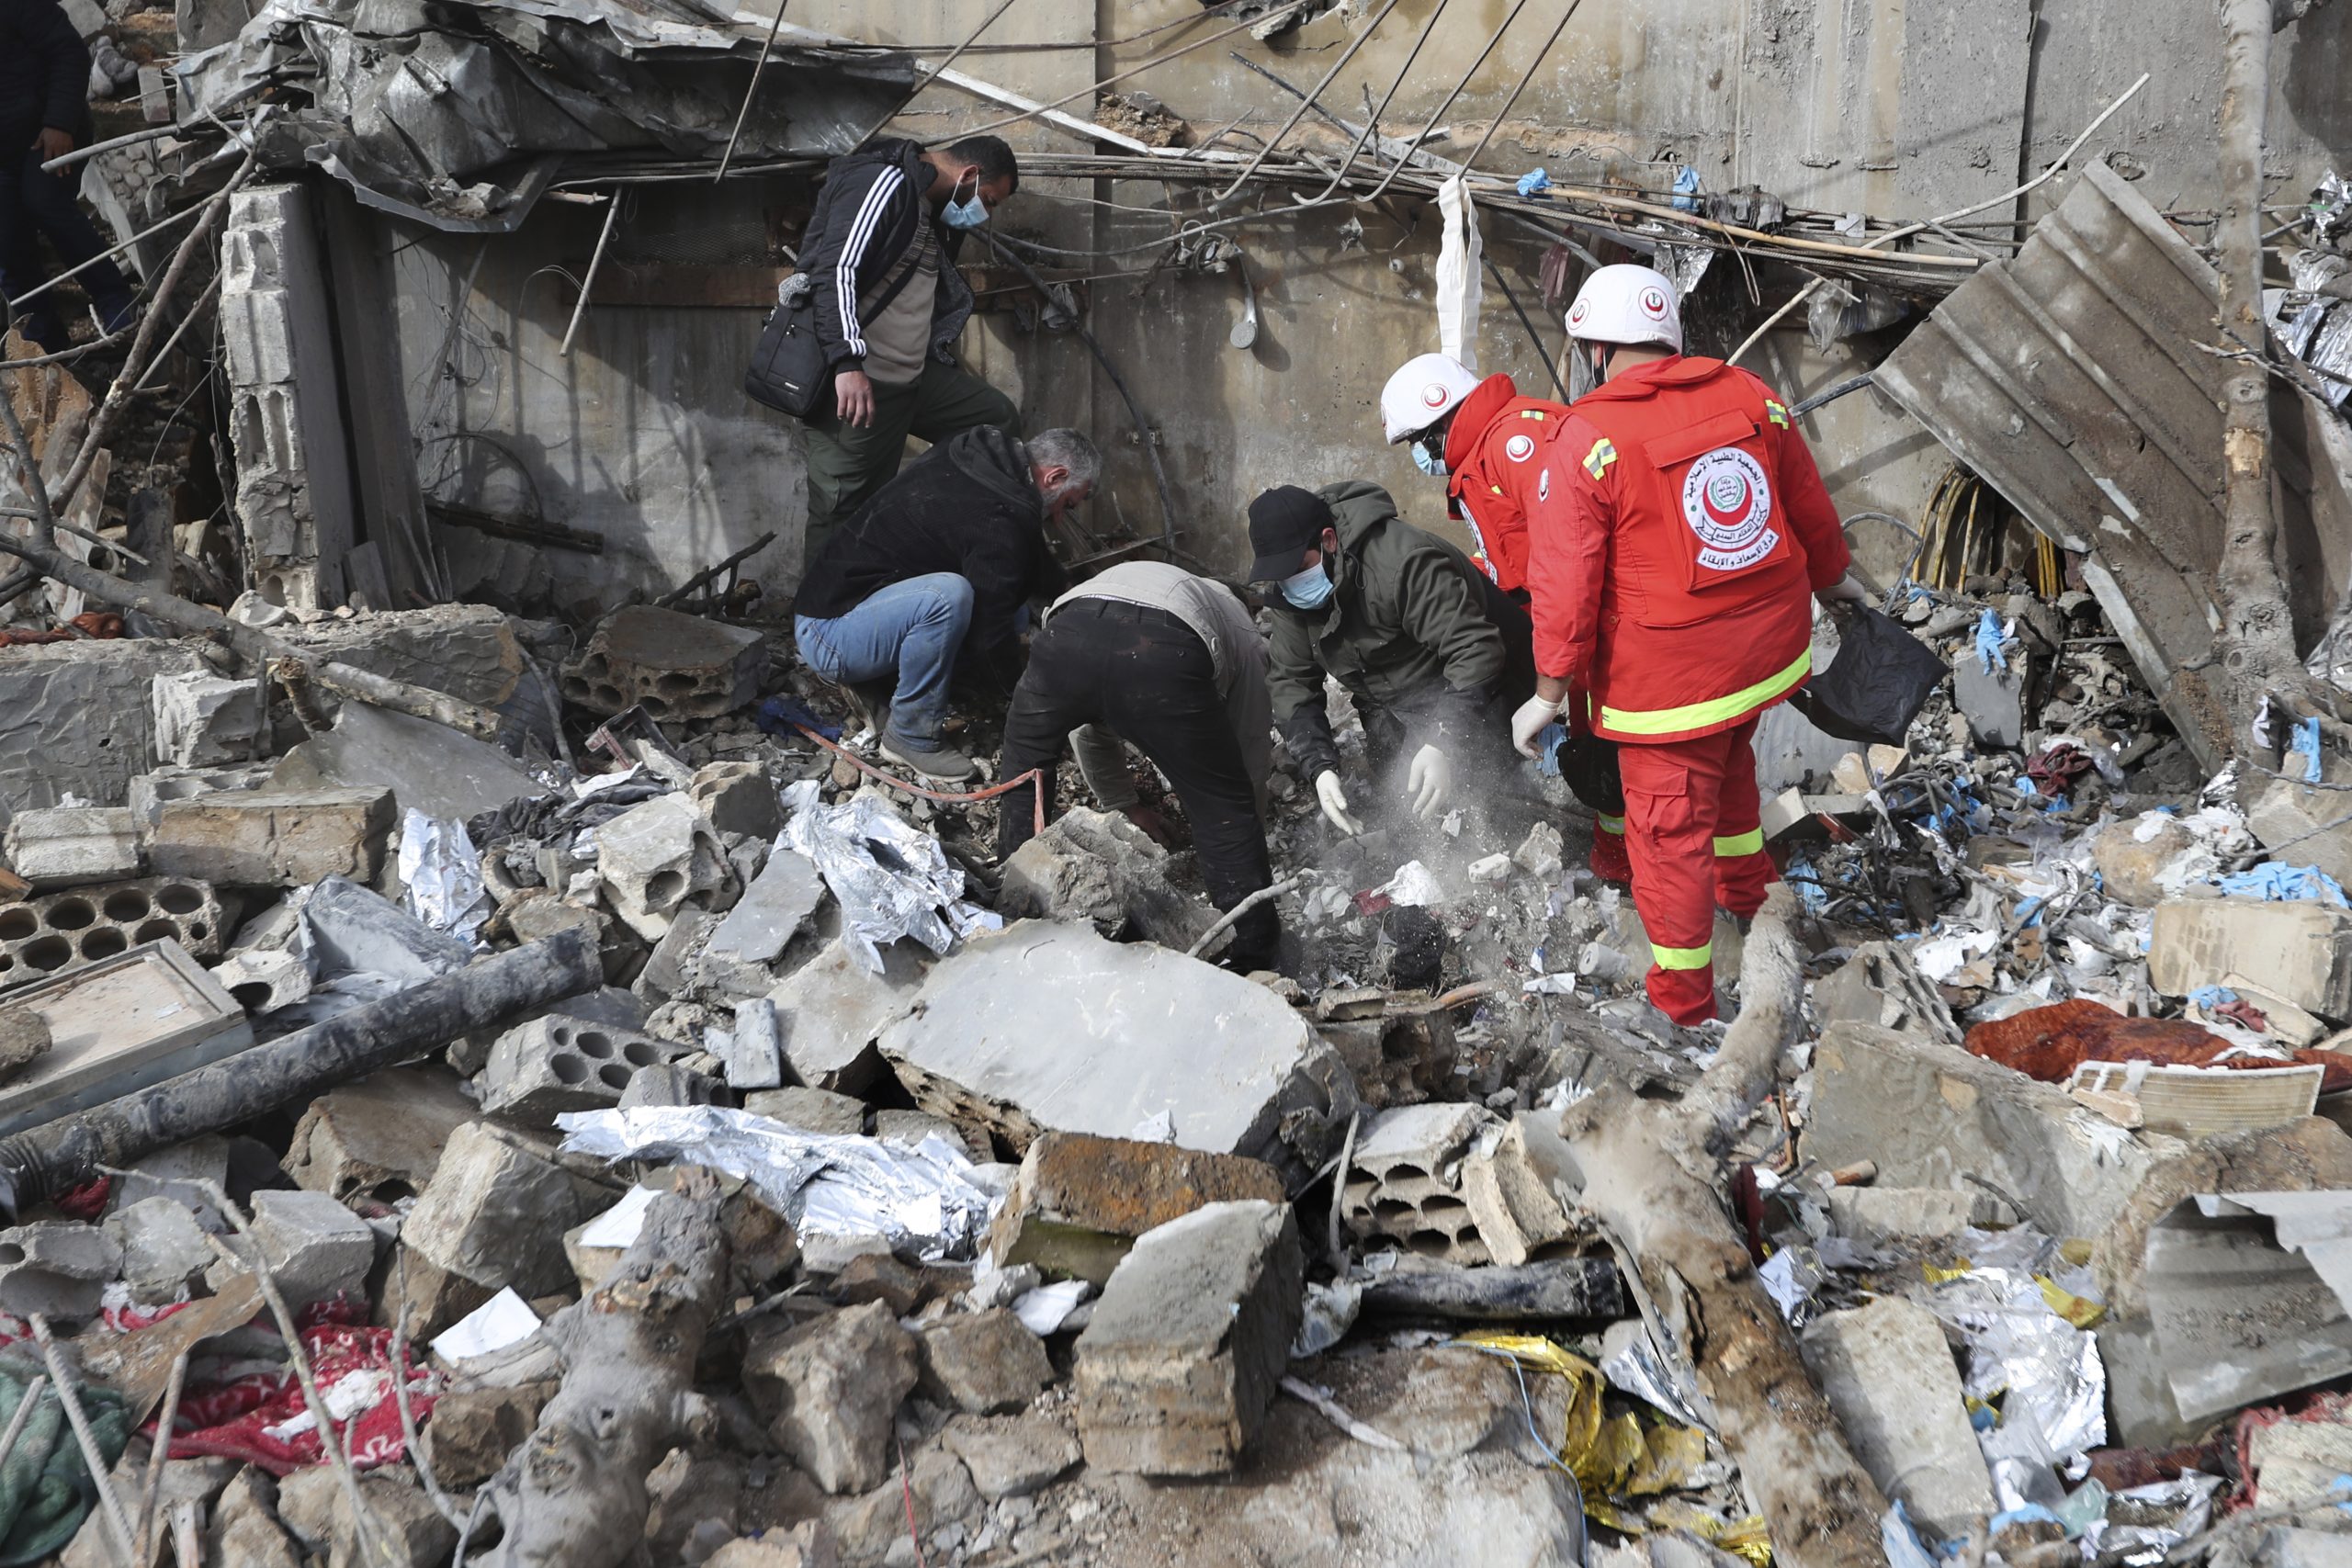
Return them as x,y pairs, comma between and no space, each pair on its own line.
46,114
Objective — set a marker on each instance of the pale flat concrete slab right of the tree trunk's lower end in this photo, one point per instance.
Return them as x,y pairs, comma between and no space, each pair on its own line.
1890,1376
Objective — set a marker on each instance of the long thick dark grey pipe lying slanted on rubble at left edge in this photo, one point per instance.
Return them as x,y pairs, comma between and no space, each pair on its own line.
293,1068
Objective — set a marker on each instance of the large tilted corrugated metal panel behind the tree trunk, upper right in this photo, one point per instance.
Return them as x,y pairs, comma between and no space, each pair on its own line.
2076,380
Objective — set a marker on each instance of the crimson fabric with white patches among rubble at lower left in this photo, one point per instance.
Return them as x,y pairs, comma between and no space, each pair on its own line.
246,1416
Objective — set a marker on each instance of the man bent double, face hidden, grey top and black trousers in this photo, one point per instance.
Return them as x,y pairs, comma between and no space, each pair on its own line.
1154,655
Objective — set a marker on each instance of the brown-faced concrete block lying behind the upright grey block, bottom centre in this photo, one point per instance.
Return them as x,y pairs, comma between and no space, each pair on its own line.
1081,1202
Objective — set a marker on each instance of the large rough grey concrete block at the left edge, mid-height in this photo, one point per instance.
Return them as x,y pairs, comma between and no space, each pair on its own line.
76,718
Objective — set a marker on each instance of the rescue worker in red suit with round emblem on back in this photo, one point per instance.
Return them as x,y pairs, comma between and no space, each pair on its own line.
1678,540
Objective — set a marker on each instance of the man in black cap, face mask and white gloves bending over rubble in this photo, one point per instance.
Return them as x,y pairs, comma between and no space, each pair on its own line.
1419,638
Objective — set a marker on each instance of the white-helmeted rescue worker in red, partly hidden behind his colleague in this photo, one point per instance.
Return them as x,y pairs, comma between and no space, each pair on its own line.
1481,438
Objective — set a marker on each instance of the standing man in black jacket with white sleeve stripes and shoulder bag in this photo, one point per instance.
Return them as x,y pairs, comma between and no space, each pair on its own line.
890,304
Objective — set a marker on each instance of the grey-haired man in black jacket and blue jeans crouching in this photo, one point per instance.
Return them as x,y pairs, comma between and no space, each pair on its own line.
940,568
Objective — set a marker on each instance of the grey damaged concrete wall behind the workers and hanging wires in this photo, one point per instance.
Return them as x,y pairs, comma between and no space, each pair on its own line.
1840,105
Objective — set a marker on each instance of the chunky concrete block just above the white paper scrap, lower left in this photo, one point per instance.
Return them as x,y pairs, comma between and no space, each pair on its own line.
495,1212
